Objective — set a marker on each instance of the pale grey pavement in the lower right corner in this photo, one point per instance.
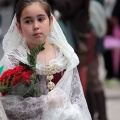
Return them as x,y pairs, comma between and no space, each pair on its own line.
112,94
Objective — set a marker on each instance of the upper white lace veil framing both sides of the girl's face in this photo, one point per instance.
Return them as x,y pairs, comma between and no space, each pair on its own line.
13,39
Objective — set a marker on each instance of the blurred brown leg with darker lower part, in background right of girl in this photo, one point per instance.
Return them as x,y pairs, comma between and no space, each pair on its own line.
95,94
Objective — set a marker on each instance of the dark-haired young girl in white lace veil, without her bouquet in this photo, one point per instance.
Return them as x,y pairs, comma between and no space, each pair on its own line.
32,25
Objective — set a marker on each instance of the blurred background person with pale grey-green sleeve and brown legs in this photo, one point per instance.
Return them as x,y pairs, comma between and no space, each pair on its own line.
95,93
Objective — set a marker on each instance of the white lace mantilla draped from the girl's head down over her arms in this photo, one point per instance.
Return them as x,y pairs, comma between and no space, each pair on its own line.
65,102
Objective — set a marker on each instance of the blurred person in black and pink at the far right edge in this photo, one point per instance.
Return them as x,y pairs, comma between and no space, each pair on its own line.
115,20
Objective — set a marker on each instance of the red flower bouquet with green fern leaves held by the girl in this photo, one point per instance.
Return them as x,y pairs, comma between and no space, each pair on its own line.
22,80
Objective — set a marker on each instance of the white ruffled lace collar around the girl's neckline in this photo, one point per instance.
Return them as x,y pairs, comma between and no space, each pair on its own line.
60,62
